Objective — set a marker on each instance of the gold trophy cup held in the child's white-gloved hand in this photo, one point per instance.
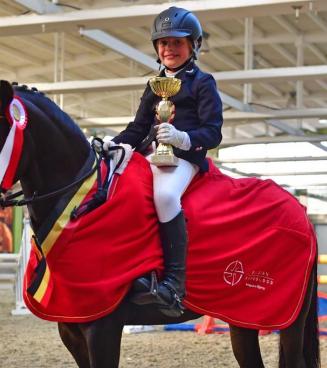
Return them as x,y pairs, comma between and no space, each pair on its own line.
165,87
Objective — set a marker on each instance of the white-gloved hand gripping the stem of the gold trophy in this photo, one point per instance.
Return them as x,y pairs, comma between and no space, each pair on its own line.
168,134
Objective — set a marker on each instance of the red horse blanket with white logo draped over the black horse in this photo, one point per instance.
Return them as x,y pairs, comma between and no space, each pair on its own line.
251,250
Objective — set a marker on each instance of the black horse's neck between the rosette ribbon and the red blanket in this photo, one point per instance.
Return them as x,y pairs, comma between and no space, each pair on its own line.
54,152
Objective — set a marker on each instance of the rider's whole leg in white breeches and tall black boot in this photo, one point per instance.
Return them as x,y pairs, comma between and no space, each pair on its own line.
169,184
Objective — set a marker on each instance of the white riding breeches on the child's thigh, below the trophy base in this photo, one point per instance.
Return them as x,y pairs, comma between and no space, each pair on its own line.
169,184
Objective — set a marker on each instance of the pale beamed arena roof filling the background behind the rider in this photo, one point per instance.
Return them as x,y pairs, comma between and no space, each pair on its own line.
269,58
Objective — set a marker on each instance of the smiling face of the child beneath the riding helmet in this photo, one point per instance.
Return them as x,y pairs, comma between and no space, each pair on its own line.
174,52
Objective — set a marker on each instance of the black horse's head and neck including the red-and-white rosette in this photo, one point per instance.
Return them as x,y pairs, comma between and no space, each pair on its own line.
40,145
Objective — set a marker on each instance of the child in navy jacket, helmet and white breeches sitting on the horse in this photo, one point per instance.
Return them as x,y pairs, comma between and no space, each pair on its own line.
196,127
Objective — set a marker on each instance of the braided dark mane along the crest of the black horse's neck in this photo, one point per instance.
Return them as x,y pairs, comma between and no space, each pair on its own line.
49,108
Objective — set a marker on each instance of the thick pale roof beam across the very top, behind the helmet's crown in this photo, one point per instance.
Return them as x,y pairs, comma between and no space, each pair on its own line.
143,14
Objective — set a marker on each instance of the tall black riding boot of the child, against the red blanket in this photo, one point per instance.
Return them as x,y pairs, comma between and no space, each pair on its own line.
169,293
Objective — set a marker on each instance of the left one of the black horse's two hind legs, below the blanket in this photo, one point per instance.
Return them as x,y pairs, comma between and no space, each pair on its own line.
245,344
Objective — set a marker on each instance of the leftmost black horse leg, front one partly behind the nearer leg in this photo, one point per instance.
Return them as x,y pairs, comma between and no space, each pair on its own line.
75,342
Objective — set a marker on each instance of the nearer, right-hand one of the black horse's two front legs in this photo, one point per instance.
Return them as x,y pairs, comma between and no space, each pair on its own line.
103,338
